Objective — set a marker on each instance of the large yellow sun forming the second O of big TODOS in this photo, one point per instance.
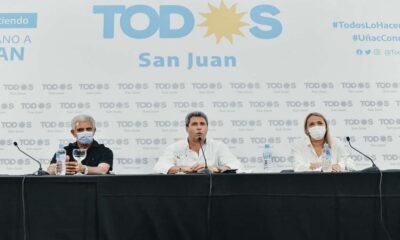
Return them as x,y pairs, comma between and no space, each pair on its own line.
223,22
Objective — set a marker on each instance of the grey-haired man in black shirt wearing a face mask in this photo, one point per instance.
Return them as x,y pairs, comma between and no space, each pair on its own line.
99,159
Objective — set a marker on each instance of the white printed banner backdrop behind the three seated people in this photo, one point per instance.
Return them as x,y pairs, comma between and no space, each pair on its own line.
324,60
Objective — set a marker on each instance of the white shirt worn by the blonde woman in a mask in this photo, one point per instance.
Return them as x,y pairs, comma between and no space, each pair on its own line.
304,154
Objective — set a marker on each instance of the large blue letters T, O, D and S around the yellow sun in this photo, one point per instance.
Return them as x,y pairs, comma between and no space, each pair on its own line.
268,27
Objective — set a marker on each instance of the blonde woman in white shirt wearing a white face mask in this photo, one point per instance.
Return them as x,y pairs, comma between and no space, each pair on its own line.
308,153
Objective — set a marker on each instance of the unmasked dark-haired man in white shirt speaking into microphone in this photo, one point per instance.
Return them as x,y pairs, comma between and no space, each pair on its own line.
186,155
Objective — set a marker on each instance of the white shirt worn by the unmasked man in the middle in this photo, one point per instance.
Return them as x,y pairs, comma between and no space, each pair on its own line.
179,154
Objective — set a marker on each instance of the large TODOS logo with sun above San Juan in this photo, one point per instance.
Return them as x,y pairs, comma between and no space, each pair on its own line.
177,21
